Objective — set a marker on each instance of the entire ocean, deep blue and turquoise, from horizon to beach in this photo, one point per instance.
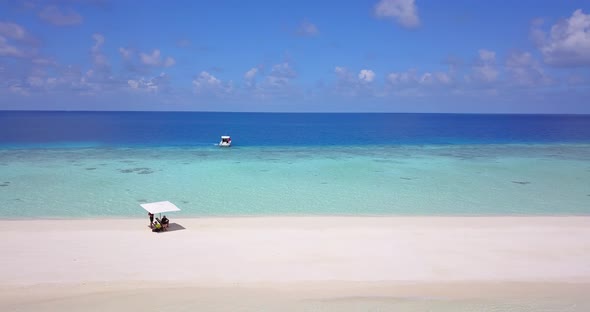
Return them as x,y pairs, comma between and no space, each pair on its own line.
104,164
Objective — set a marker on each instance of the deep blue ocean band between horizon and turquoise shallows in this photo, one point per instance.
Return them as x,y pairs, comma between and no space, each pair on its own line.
278,129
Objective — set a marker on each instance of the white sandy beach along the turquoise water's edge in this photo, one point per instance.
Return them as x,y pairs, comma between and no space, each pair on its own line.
297,263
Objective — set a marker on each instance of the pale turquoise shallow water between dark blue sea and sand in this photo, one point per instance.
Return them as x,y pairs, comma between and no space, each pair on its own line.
501,179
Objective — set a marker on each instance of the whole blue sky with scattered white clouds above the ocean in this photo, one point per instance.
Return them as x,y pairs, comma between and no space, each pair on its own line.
458,56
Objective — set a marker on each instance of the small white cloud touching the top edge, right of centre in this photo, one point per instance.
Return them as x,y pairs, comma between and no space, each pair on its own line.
404,12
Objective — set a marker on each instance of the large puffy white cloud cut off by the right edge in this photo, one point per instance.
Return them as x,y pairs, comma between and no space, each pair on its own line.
568,43
